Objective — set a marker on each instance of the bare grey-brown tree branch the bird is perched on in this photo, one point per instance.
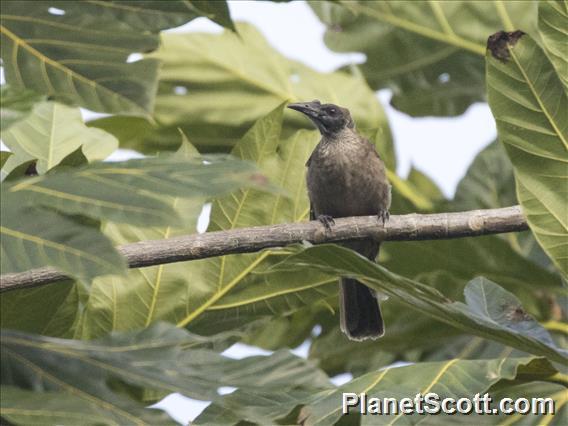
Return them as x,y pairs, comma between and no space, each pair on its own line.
411,227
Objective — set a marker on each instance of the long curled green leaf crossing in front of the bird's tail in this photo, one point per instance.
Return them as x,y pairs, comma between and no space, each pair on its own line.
490,311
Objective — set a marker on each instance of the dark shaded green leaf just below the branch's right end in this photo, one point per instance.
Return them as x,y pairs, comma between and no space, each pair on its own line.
452,263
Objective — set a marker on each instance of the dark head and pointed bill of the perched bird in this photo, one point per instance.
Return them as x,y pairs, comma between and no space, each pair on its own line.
329,118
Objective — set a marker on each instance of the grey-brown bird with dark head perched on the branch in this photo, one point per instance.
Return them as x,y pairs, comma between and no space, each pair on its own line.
347,177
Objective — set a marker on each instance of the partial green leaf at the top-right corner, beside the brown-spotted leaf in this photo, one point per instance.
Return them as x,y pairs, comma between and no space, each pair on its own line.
552,18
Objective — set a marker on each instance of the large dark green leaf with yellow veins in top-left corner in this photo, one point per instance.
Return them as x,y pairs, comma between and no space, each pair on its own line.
78,52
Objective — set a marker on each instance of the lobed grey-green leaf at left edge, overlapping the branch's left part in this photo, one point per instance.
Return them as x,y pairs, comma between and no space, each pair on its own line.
43,217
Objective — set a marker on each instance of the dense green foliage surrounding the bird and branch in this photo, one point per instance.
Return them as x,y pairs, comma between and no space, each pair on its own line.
213,89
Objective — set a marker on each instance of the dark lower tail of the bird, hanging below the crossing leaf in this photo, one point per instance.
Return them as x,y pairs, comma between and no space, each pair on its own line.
361,317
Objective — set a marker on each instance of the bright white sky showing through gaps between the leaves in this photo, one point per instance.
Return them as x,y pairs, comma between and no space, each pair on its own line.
443,148
